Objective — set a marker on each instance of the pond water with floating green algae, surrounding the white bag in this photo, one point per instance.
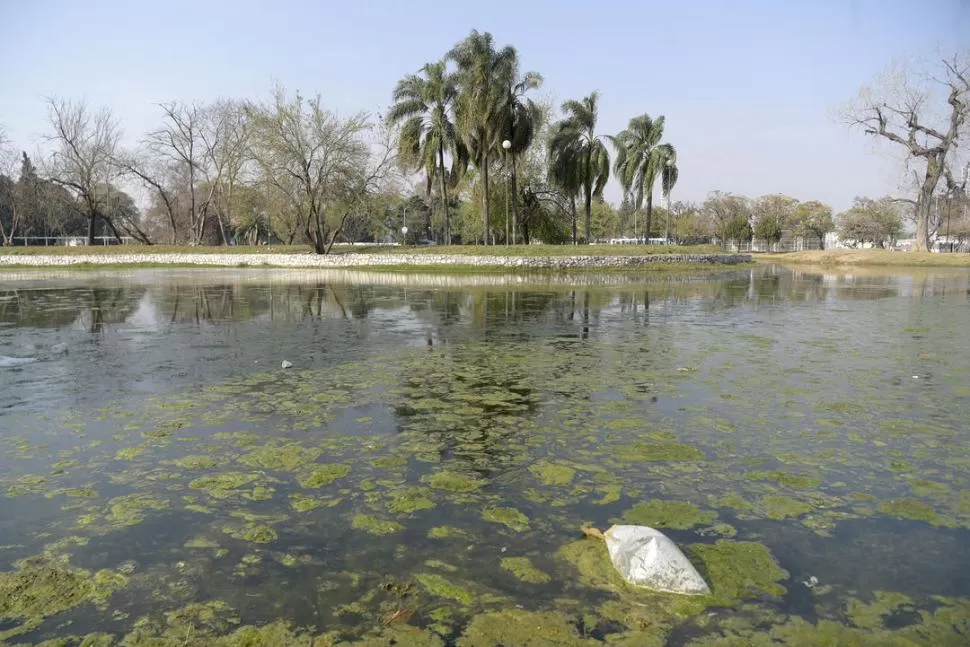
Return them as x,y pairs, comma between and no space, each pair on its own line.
430,429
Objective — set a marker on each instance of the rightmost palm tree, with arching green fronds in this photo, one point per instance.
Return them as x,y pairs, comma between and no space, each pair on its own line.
640,157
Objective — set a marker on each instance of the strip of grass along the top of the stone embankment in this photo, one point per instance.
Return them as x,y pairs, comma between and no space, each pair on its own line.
528,251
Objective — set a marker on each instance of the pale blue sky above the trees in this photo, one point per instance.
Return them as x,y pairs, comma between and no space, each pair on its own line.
748,88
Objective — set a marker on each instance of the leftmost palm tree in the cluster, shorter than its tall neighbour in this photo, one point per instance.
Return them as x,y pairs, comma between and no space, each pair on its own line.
424,103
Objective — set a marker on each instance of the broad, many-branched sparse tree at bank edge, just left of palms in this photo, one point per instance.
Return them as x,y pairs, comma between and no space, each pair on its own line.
324,165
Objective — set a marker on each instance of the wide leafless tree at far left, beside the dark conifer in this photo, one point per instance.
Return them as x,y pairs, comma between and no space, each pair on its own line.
84,144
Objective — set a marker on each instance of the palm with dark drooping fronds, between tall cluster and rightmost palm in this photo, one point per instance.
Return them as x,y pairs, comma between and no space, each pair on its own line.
578,156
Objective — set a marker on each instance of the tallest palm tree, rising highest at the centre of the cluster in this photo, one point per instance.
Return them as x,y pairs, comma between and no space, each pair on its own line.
483,78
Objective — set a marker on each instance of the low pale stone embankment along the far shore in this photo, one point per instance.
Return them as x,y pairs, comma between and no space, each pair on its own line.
371,260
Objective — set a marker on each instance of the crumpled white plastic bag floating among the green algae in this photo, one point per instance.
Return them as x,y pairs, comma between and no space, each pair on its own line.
648,558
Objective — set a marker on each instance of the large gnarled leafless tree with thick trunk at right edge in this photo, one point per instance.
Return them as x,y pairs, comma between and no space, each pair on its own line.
906,114
